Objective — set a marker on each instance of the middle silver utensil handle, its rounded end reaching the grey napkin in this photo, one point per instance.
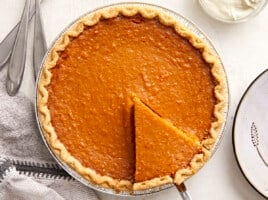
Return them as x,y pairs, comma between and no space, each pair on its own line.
18,55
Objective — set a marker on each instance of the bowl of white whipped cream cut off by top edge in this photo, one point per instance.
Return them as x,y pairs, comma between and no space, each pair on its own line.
231,10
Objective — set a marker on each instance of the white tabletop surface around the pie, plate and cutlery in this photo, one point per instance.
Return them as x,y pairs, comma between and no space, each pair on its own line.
243,49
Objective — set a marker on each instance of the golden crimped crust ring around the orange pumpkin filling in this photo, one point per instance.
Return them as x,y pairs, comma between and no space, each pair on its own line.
149,12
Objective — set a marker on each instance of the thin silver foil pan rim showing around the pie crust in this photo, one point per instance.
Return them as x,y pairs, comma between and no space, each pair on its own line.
187,23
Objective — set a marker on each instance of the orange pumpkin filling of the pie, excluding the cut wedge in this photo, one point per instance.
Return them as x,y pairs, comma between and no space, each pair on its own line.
95,76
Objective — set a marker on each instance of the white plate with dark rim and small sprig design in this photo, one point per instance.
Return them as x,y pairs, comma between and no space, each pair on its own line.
250,134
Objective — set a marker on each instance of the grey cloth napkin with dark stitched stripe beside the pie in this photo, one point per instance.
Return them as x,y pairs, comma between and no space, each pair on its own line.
27,170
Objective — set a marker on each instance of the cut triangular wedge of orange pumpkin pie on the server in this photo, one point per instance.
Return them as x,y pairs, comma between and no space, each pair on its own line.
161,148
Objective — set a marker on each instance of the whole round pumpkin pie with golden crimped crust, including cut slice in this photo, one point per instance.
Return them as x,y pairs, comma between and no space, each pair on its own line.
131,99
